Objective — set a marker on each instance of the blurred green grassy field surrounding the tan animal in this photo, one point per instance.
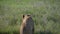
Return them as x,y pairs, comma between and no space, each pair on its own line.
46,15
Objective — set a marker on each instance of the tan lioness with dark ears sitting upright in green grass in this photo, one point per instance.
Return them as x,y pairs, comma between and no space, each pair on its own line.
27,26
